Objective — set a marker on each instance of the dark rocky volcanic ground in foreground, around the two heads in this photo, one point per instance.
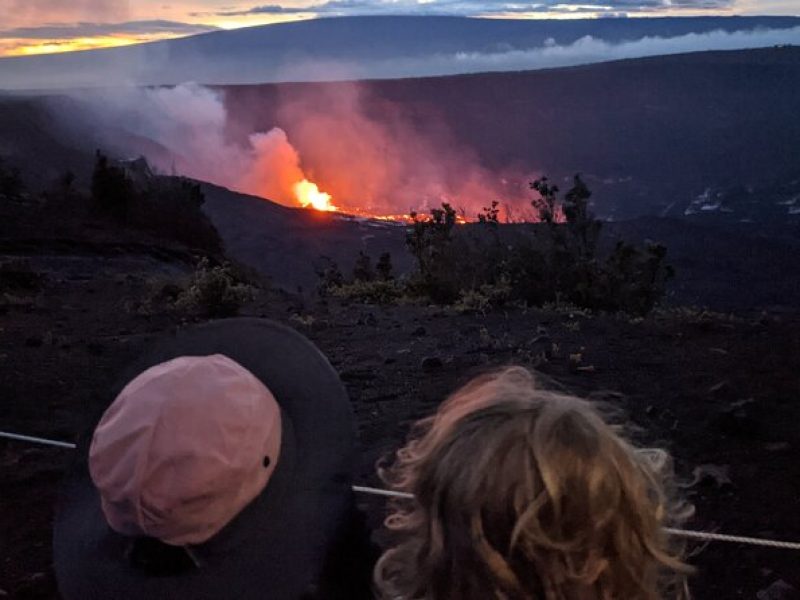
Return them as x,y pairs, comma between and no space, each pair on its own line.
720,391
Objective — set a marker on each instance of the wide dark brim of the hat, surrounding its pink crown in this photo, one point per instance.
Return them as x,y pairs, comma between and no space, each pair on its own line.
276,547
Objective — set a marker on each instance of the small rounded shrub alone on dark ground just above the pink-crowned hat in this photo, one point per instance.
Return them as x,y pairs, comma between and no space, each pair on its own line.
215,292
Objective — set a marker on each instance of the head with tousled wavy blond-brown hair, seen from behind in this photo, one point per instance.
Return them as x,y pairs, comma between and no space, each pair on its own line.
523,493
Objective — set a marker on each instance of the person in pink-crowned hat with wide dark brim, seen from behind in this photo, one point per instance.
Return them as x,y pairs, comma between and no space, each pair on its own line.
221,470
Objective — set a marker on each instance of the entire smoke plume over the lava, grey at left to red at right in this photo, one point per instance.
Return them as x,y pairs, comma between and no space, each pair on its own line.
385,166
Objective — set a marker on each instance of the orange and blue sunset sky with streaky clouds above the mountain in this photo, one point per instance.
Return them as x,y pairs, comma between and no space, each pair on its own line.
43,26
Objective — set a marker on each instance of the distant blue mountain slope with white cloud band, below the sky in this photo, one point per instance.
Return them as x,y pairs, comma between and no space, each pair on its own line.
376,47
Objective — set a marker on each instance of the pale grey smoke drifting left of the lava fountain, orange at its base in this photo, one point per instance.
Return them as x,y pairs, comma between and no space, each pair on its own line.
183,130
